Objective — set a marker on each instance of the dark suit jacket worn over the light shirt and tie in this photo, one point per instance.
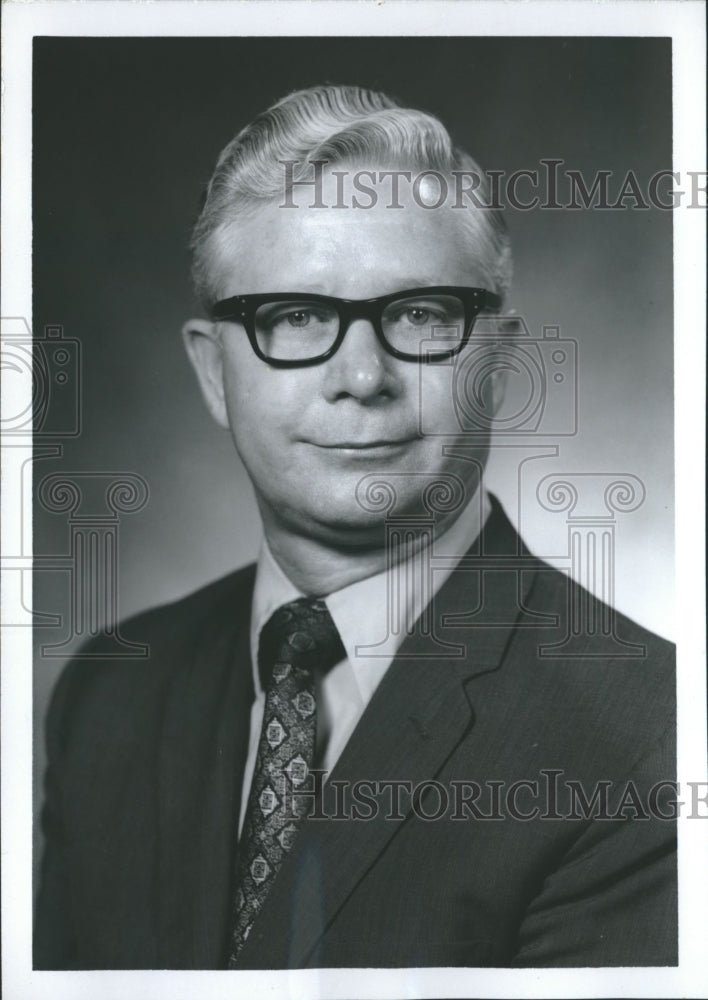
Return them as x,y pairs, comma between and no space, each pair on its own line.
146,761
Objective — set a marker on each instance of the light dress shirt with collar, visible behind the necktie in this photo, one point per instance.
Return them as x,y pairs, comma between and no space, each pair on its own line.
371,626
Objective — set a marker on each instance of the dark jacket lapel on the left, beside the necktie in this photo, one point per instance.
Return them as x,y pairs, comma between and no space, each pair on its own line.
203,751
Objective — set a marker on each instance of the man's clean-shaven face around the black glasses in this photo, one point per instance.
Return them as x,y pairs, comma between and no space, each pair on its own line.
308,436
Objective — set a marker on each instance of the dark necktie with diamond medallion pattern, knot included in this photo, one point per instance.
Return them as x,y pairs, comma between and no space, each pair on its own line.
299,639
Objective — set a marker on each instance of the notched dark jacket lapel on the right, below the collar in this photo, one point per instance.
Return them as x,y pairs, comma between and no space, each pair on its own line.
417,717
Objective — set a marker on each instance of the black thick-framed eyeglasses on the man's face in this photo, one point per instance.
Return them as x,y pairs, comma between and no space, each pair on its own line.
294,329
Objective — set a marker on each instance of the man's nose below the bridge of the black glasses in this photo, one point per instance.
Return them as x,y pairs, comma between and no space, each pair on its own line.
361,368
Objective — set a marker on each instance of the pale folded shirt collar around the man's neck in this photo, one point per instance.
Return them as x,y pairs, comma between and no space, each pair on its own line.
363,611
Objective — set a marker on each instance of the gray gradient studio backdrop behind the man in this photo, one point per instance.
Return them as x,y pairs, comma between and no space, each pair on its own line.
125,134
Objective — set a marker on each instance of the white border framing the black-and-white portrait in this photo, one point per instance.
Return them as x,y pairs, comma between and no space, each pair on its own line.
685,23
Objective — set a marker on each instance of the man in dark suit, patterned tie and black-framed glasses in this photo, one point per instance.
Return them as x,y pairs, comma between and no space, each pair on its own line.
343,757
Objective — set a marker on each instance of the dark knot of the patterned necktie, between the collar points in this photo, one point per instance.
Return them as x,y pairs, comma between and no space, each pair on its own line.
301,635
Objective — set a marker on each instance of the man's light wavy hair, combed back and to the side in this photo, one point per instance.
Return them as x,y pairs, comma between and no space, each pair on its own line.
338,124
